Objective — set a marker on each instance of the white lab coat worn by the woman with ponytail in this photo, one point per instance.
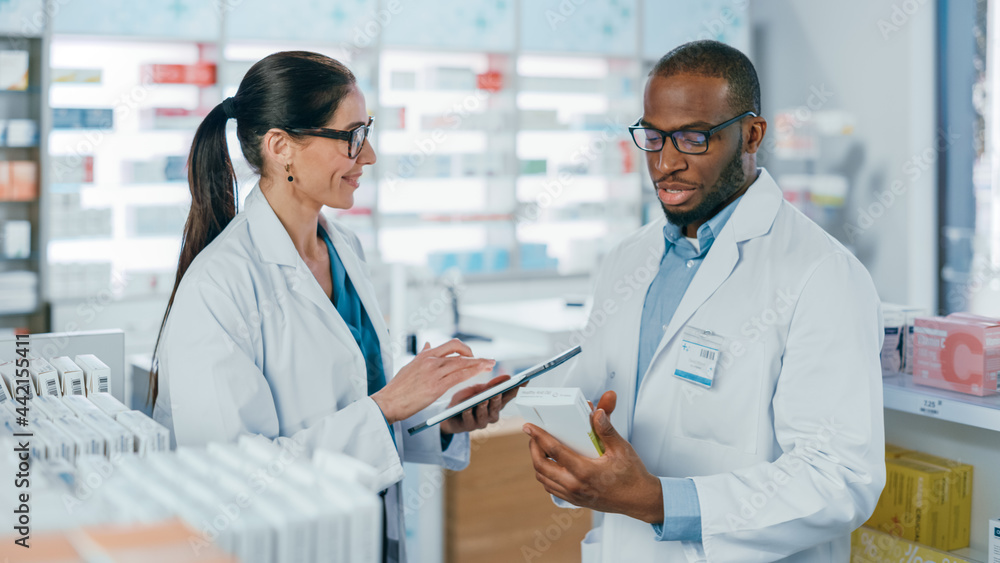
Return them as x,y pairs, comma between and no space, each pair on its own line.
253,345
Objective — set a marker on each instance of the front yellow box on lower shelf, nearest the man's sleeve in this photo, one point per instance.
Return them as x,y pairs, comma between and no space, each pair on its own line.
914,504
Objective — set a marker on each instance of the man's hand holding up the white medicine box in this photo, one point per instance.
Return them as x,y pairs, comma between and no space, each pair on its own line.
615,482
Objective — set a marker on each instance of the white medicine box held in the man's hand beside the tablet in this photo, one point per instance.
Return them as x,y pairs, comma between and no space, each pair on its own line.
563,413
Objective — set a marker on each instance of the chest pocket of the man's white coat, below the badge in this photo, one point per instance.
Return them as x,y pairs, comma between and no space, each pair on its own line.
728,413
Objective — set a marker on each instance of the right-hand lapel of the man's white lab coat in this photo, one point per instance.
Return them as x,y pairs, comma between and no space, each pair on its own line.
752,218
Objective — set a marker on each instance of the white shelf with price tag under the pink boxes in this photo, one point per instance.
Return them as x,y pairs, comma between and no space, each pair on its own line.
901,394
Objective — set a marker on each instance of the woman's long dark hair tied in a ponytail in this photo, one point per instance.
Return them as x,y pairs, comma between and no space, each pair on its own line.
285,90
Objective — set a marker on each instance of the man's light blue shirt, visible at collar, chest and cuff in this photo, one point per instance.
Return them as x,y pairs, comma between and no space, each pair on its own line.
680,262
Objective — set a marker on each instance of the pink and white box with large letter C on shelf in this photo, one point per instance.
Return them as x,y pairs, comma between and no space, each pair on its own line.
960,352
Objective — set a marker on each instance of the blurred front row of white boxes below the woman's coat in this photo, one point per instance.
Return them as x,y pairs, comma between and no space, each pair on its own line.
260,502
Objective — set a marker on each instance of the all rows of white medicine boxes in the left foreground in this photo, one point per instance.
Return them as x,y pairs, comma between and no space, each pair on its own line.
97,462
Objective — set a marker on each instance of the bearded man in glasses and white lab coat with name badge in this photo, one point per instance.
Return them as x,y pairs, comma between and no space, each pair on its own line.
741,343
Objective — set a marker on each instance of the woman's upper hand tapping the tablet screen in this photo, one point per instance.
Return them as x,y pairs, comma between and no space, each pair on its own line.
426,378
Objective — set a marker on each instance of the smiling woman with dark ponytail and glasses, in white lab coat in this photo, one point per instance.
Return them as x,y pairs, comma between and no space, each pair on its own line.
272,327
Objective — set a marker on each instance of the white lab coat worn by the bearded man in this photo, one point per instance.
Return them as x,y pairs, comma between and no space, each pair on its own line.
786,447
